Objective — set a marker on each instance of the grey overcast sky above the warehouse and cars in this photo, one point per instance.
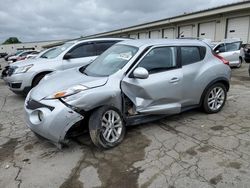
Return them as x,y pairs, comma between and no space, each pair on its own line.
38,20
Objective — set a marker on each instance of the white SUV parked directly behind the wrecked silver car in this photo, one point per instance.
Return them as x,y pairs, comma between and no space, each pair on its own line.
22,76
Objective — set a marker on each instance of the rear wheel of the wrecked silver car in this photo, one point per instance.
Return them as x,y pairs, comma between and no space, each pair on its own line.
212,102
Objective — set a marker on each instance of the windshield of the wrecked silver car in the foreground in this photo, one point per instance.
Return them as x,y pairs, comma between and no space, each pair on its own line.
110,61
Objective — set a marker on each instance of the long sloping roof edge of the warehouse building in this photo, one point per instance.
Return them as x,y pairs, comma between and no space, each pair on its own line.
183,17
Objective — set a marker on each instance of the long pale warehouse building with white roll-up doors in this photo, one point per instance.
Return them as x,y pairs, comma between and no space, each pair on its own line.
229,21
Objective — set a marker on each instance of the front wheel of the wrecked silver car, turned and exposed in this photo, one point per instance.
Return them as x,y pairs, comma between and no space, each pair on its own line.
105,134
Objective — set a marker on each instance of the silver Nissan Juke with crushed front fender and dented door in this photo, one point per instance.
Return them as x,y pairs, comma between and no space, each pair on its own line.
133,82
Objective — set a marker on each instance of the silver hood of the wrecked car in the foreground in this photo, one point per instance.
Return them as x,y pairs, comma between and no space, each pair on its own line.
61,80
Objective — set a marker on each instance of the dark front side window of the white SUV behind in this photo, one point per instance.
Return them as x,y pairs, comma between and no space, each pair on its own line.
84,50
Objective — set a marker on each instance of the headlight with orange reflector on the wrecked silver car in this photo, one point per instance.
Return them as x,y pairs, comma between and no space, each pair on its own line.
65,93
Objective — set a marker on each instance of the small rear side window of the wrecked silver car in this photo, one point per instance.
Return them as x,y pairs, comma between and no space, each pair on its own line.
192,54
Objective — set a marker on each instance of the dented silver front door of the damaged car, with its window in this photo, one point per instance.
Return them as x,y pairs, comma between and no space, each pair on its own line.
161,92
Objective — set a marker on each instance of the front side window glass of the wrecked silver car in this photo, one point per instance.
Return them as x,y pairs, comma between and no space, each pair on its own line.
159,59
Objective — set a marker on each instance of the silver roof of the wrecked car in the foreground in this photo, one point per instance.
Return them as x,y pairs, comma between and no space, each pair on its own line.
152,42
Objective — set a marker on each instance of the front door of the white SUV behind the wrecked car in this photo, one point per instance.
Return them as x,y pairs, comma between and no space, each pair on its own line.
81,54
